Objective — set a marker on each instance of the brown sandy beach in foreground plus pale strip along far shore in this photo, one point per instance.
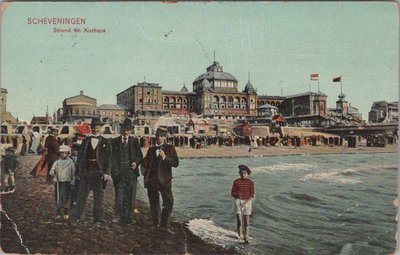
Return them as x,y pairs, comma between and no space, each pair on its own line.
31,207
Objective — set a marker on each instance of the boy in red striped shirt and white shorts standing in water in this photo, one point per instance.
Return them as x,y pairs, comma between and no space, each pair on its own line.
243,192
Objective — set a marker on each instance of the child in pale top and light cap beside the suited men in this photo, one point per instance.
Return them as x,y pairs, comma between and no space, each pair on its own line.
63,172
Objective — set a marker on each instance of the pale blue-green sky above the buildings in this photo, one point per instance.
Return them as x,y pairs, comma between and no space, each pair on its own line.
281,44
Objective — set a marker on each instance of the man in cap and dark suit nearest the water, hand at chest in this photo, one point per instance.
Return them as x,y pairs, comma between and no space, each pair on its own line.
158,165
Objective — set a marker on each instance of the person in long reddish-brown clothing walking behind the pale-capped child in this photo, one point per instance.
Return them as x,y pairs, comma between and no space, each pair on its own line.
50,155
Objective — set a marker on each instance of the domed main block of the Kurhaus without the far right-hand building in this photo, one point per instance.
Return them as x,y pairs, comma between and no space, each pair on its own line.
215,95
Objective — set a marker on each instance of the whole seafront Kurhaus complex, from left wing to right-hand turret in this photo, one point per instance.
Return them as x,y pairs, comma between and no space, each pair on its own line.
216,96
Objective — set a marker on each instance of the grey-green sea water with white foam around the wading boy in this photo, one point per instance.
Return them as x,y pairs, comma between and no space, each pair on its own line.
305,204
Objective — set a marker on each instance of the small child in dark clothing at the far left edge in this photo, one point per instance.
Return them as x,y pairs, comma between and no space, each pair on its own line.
8,167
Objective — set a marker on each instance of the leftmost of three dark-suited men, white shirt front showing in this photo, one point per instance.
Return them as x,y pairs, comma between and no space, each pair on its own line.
94,167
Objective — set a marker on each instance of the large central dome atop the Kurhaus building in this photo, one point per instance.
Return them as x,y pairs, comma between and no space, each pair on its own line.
215,79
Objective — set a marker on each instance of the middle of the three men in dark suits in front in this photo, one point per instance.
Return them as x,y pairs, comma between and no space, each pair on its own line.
126,157
